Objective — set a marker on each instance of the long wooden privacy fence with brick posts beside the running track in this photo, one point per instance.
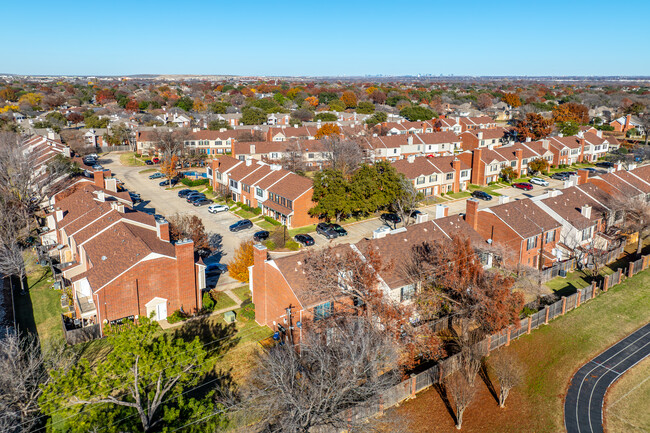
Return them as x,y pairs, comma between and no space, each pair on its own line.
418,382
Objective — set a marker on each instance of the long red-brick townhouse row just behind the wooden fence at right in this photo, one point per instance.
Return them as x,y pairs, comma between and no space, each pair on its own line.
529,233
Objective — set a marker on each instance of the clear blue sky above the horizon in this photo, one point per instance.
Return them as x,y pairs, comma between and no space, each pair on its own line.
570,37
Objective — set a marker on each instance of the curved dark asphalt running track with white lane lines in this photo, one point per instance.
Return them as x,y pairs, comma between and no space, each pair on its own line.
583,407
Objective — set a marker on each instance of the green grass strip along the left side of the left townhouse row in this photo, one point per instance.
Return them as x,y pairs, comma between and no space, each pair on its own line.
39,310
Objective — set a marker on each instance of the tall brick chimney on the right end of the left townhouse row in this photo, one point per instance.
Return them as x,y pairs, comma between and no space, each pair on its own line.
187,291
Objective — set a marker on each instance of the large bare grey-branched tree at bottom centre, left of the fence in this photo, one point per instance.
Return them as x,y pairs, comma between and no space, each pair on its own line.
347,364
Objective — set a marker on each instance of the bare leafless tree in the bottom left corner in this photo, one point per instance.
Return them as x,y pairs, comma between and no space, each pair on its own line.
24,370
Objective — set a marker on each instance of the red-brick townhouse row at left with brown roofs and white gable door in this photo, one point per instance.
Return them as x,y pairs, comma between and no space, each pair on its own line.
118,263
